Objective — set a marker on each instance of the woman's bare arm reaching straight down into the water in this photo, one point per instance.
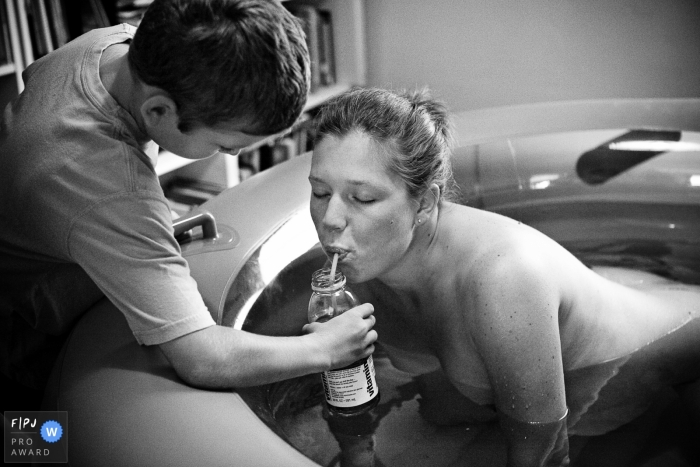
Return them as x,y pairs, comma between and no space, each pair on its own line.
515,303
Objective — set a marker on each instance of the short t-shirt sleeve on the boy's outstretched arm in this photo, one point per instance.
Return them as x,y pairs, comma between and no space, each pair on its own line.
125,243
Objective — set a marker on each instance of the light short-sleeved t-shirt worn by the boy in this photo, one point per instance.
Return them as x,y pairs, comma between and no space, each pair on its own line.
82,212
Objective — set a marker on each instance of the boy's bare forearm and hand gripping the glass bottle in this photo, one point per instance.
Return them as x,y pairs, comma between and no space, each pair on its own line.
218,356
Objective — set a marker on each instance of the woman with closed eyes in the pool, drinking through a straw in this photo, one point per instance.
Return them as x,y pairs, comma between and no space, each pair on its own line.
515,322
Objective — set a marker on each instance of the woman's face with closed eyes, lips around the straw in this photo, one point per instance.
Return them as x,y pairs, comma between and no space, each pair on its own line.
361,209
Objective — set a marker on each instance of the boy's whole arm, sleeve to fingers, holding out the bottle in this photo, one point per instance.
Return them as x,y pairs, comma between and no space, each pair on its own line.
126,246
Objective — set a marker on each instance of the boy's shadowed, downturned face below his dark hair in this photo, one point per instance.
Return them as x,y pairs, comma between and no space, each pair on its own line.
203,142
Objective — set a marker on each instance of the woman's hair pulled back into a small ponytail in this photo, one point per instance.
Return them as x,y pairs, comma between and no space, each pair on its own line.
413,128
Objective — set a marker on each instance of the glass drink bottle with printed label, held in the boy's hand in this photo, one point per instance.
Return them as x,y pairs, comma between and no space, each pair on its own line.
353,389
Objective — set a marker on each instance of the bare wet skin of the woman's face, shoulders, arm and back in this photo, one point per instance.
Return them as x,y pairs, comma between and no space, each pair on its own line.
505,309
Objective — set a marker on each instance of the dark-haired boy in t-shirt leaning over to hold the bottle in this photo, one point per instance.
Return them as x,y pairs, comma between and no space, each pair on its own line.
83,214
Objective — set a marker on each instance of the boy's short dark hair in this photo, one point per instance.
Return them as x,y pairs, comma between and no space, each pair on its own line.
223,61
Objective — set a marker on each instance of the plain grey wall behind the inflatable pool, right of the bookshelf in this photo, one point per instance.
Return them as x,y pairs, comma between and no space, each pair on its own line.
481,53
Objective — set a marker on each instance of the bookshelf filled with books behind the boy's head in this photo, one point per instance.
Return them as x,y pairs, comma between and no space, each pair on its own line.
336,34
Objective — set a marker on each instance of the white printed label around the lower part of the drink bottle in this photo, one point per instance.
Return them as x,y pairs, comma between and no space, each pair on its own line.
351,386
